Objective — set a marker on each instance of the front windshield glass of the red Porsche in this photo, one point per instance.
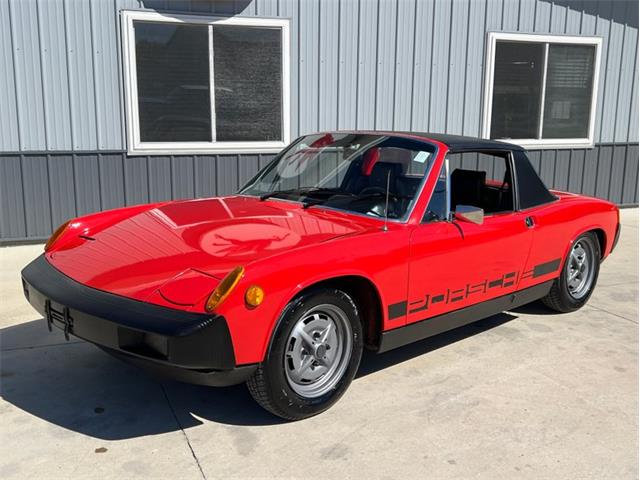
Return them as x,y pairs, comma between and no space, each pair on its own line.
350,172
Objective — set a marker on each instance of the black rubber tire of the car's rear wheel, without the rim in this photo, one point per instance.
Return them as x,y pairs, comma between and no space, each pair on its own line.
560,297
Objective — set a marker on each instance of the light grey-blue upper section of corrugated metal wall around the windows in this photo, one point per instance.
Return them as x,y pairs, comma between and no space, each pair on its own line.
385,64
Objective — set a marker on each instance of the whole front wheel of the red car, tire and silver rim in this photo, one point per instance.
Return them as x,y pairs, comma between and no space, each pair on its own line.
314,355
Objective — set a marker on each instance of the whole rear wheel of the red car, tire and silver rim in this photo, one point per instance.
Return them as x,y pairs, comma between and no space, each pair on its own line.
575,285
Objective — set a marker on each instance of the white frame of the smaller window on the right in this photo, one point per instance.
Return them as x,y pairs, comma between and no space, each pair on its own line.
537,143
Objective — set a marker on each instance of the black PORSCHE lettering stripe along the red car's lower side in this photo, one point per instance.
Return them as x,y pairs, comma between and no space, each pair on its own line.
398,310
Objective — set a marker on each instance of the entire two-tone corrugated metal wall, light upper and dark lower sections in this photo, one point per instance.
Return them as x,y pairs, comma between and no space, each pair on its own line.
385,64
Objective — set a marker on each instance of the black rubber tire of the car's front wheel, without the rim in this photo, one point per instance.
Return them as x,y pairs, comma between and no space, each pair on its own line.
269,385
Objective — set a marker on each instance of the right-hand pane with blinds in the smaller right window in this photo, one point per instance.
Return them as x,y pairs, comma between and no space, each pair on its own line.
568,92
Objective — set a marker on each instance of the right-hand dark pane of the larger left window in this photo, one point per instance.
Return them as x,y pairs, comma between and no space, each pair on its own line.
248,83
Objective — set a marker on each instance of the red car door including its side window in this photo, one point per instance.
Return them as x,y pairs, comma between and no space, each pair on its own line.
456,263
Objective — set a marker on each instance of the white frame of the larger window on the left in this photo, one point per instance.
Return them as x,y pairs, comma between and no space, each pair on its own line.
137,147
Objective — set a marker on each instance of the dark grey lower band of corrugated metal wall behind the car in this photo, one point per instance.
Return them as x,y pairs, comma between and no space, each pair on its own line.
81,183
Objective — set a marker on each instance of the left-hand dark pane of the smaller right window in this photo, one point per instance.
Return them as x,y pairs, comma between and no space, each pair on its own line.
517,87
